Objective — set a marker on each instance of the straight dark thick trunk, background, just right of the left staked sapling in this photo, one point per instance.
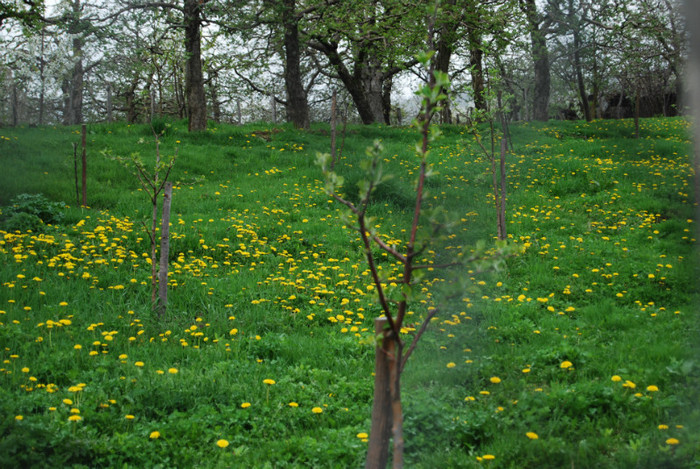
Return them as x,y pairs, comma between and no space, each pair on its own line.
194,79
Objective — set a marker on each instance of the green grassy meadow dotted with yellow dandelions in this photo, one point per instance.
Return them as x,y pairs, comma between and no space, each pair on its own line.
581,352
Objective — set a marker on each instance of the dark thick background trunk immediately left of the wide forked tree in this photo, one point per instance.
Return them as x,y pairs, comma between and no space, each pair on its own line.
297,104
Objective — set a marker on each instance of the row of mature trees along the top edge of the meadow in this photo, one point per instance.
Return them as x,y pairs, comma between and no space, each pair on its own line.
74,61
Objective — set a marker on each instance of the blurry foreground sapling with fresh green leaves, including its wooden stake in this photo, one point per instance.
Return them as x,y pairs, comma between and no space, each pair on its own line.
428,226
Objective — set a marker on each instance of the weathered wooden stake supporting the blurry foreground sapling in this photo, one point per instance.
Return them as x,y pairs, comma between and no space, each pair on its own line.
380,433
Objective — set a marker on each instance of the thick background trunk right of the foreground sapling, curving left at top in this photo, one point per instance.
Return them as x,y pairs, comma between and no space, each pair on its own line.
540,56
